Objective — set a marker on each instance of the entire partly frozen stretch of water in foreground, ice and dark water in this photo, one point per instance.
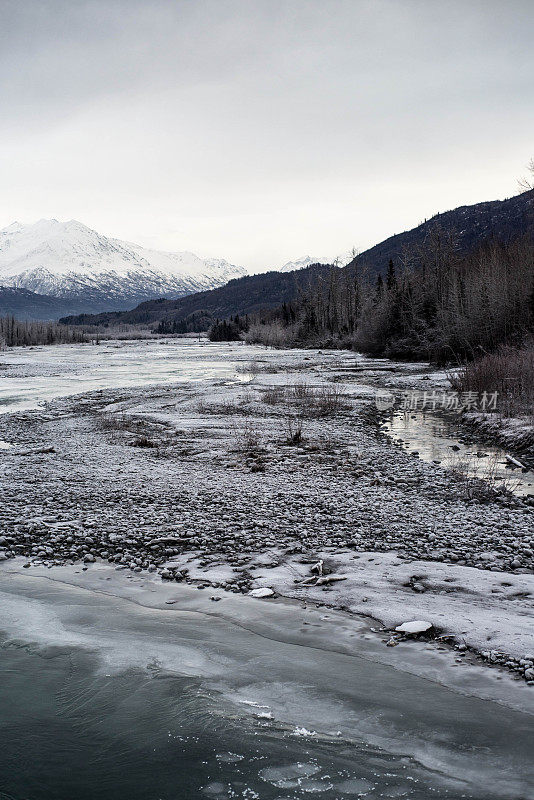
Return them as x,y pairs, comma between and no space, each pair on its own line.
103,696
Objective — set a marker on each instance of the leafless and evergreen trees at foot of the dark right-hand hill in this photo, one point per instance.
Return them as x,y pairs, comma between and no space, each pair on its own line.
435,303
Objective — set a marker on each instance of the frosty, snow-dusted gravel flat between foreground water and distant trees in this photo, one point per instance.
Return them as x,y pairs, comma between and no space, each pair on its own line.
197,480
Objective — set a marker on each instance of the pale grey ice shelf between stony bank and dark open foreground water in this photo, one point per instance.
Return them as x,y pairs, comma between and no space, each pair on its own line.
283,669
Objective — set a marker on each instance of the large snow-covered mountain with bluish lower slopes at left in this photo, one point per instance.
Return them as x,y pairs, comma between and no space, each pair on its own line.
71,261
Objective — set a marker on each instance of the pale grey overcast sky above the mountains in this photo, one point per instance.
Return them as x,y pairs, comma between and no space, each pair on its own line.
261,130
